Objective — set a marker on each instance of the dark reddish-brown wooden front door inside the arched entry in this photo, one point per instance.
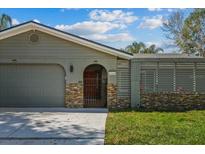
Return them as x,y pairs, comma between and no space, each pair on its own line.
93,88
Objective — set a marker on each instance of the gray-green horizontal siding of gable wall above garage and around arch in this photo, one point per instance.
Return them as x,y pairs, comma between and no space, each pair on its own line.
51,49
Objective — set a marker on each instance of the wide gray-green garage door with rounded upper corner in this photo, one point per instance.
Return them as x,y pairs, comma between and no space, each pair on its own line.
31,86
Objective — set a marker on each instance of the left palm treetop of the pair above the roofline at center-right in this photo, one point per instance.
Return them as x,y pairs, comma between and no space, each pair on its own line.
135,47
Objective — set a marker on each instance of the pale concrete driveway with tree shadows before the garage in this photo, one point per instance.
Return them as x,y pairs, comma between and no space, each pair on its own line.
52,126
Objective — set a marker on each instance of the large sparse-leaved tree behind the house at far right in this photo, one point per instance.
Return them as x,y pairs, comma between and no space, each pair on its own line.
187,33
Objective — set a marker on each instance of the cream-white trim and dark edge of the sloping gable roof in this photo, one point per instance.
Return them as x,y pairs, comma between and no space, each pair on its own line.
32,25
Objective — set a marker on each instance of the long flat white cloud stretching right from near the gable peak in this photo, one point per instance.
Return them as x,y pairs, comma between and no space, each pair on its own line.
89,27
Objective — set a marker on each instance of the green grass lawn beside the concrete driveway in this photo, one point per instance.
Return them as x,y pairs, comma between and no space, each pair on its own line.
133,127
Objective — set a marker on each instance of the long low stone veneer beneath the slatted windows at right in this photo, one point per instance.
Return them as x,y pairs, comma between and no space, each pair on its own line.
172,101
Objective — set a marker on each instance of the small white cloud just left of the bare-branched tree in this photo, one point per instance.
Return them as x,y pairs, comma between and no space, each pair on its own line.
151,22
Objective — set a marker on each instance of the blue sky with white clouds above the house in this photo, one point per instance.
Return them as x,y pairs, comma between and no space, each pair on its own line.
114,27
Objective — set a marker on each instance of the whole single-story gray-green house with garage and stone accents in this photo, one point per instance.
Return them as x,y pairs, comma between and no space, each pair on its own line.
44,67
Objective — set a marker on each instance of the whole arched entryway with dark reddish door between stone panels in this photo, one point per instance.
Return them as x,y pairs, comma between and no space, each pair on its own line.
95,86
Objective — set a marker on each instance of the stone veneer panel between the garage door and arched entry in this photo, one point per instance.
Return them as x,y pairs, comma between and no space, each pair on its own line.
74,95
